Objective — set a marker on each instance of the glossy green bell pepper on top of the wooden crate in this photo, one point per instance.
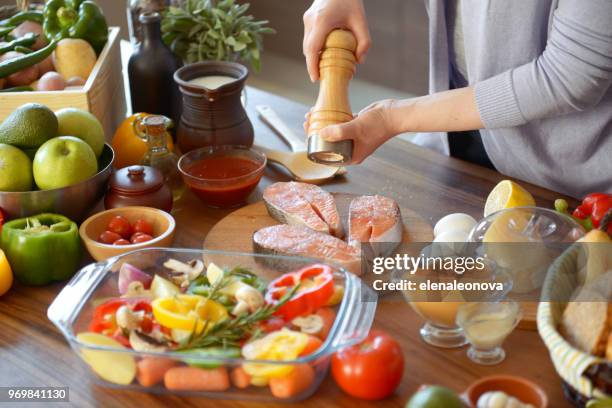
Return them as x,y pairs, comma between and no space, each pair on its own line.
75,19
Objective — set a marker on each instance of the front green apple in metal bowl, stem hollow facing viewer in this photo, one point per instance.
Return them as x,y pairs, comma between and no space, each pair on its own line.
63,161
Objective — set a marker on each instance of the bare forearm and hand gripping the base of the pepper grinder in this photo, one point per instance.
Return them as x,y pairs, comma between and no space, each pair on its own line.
454,110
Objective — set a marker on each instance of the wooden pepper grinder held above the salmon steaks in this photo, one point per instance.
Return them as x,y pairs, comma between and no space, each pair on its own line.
336,68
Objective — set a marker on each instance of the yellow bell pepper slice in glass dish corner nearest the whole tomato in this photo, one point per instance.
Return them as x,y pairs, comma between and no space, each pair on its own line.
282,345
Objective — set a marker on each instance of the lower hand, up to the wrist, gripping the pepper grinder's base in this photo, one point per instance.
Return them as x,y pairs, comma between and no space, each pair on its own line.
369,129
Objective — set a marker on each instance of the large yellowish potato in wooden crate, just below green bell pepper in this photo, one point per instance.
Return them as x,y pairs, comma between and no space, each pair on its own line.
74,57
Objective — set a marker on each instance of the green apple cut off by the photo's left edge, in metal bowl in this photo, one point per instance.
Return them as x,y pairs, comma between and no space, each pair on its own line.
15,169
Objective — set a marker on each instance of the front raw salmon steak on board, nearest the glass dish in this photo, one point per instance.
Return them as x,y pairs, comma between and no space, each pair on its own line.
298,240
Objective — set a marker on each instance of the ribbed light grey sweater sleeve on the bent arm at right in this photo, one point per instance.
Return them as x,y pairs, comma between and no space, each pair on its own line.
573,72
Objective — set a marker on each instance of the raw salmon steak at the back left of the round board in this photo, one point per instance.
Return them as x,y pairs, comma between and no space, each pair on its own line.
303,204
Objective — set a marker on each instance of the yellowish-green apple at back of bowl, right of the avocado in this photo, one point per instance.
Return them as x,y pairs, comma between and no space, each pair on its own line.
81,124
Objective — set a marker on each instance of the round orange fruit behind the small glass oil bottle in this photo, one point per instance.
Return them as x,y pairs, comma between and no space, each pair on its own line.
129,147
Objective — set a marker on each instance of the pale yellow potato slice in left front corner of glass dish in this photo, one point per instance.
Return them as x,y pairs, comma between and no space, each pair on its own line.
117,368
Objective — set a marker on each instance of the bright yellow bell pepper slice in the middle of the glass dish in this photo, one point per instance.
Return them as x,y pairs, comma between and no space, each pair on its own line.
188,312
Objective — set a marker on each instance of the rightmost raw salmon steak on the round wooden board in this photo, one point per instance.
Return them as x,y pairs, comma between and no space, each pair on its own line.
375,219
